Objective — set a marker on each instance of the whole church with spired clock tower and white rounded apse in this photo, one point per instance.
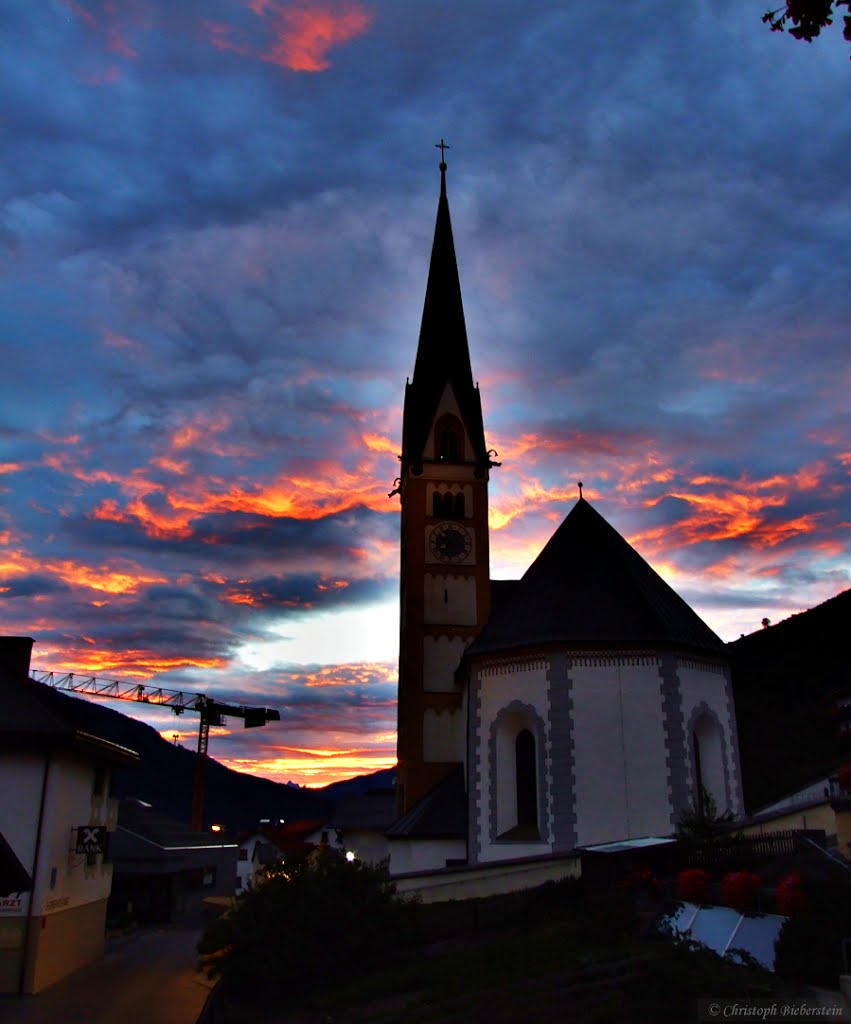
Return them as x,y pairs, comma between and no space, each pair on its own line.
582,705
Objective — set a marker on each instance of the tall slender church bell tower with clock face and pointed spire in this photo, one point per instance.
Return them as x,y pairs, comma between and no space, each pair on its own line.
445,588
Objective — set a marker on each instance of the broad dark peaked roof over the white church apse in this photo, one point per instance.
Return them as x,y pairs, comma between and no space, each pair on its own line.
589,589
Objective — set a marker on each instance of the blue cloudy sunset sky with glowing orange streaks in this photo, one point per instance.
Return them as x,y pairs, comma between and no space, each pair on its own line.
216,227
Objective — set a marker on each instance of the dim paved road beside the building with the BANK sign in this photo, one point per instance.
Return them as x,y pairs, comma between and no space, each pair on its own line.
148,977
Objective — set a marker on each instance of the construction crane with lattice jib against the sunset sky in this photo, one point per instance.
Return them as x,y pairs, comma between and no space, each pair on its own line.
211,713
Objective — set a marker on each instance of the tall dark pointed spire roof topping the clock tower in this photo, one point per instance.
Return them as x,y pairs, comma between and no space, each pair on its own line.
443,354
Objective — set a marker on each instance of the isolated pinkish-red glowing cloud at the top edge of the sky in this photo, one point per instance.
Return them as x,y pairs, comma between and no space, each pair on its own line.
306,34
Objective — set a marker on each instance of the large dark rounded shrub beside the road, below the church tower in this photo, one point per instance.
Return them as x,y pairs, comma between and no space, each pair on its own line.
308,925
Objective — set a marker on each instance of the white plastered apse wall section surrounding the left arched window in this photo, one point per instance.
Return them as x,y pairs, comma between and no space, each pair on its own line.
527,684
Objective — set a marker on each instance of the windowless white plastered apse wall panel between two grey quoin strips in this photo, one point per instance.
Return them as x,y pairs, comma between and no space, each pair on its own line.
621,773
